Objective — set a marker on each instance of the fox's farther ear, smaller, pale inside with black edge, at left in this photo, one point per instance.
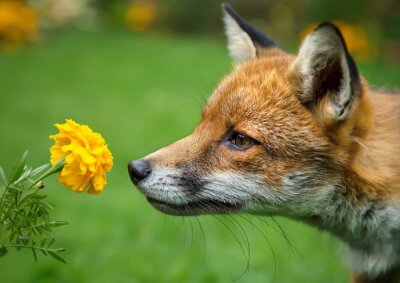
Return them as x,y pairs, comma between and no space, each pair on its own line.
245,42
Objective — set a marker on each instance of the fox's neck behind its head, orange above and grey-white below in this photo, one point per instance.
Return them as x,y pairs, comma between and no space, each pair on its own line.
363,206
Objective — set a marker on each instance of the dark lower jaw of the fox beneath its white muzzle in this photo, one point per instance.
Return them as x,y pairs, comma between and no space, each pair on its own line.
205,206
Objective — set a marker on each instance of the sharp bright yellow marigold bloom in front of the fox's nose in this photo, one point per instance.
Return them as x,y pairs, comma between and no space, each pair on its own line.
86,157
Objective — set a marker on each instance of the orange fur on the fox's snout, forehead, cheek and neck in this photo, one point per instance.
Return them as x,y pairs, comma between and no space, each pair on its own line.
254,100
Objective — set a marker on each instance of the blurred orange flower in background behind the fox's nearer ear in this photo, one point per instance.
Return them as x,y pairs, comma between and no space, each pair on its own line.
356,38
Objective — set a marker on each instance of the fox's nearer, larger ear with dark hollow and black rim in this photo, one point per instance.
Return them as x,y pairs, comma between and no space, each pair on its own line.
330,78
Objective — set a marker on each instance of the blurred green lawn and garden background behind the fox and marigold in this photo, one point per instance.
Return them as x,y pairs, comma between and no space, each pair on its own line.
139,72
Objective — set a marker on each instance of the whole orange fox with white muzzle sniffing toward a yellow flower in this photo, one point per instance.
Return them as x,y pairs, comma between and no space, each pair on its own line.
301,136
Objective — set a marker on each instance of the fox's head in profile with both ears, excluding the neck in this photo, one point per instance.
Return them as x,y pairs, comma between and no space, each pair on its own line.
276,136
